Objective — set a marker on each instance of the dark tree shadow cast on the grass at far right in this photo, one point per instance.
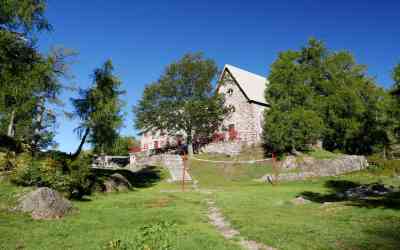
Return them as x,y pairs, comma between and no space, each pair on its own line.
337,193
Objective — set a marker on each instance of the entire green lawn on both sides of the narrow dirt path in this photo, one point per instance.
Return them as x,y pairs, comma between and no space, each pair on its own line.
159,216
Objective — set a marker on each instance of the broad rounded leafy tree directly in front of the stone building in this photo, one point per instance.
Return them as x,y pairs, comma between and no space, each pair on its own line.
182,100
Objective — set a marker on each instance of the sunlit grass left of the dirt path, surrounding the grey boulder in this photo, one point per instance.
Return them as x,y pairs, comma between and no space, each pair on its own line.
147,217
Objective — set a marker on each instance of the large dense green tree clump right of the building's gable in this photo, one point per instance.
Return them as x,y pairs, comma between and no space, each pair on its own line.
318,94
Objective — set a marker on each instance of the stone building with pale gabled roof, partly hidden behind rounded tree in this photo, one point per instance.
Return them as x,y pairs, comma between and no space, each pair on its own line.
244,93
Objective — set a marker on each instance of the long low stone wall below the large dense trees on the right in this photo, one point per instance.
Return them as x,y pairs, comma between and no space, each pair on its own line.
309,167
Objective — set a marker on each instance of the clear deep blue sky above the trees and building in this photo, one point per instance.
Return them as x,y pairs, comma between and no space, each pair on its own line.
142,37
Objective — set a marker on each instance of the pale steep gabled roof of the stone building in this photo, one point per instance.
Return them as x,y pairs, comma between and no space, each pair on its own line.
251,84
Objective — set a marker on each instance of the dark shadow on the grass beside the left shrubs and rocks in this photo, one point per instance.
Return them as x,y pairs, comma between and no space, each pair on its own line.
146,177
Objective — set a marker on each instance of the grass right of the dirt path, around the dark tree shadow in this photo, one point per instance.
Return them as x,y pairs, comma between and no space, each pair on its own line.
265,213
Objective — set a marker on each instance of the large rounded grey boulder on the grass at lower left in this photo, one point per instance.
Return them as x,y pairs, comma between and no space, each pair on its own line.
44,203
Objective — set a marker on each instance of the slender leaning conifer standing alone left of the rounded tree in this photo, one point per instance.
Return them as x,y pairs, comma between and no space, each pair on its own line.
99,109
